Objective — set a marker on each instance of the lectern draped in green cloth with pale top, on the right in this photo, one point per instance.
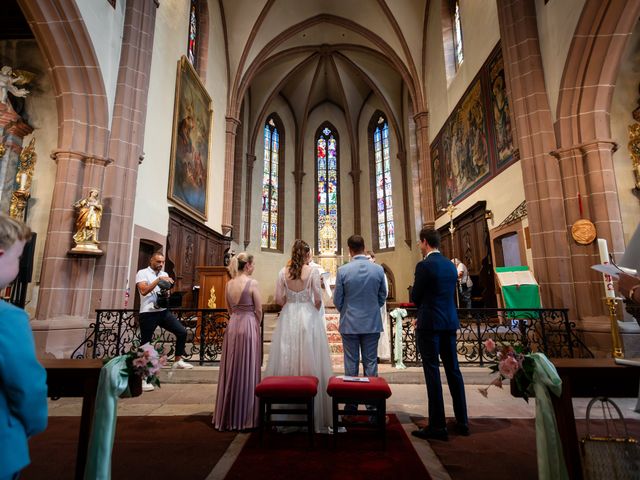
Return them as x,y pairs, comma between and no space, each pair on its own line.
519,289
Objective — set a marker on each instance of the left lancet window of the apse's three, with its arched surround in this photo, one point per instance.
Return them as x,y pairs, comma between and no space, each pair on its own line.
272,179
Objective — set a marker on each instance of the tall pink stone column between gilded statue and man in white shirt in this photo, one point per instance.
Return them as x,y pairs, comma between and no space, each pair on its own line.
126,147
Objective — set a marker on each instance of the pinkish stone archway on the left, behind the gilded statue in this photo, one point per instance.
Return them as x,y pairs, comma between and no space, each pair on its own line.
80,155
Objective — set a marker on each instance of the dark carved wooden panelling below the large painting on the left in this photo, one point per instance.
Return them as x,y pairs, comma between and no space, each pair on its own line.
190,244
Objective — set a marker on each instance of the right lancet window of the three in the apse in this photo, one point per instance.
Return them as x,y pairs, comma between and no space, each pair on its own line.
383,226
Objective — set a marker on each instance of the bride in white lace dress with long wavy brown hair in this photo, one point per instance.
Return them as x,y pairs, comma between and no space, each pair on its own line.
299,343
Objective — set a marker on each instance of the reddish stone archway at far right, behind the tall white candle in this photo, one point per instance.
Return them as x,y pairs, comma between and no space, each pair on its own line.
583,134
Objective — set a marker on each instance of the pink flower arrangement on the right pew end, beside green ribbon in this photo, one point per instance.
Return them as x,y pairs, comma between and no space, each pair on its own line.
513,363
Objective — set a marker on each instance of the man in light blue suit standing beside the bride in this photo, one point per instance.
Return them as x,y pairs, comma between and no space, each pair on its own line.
359,294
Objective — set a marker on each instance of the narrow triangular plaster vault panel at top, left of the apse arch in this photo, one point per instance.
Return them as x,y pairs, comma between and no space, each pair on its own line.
240,17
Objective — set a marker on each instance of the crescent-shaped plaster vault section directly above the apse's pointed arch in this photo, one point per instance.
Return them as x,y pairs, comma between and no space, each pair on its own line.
287,13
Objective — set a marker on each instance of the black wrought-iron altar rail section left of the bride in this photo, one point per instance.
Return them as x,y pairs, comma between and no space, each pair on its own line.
115,331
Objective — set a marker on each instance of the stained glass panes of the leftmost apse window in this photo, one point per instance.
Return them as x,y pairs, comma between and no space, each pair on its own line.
270,185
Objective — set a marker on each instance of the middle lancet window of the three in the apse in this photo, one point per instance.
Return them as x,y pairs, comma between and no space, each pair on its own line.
327,198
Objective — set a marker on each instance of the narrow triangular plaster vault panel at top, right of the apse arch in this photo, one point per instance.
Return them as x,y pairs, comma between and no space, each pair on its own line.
410,16
